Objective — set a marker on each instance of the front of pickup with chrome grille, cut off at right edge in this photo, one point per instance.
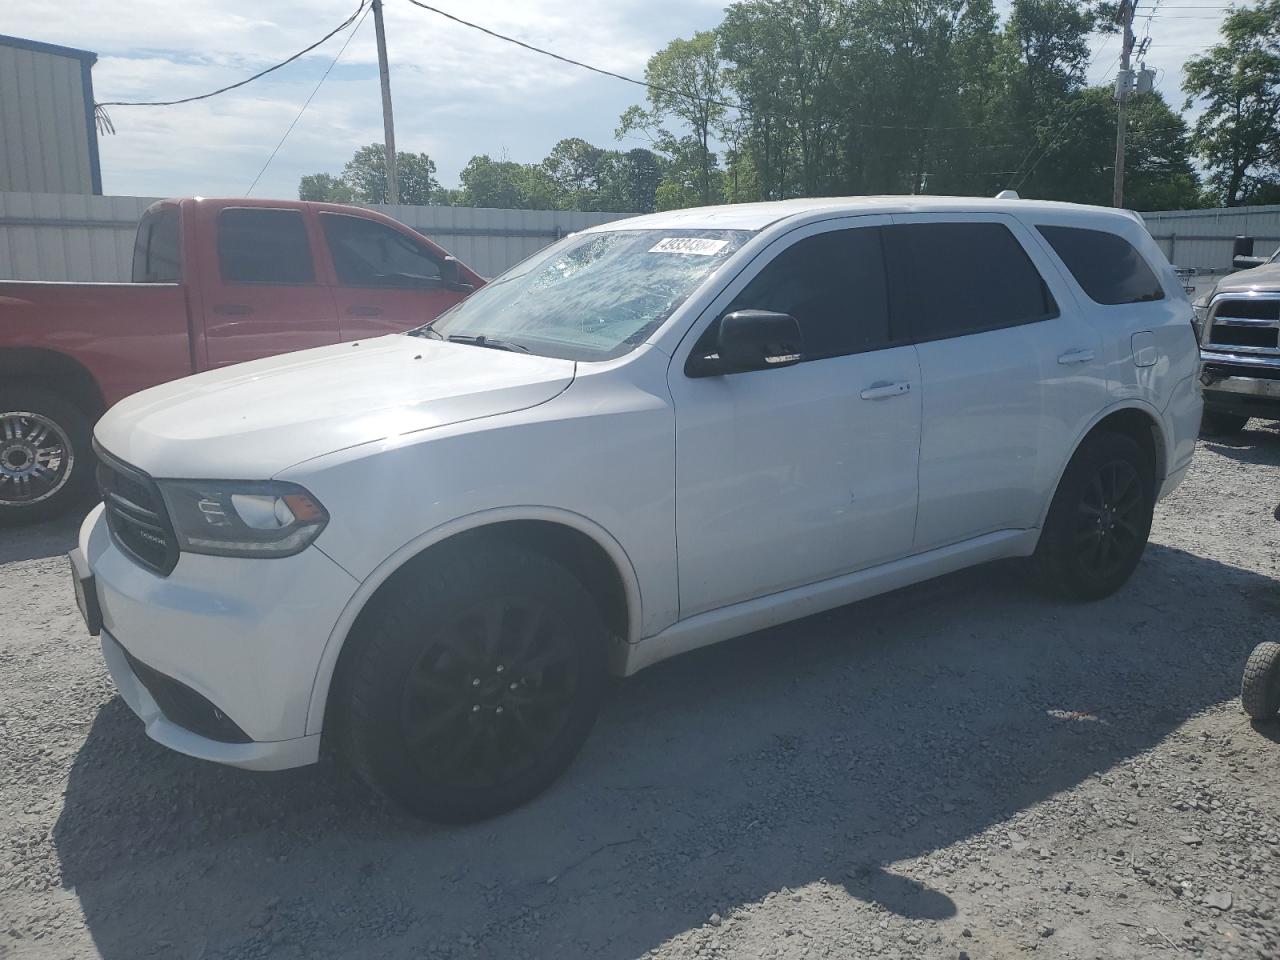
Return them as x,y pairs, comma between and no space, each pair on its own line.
1240,335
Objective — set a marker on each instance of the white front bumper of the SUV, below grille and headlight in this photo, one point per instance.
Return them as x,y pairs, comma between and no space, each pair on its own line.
244,637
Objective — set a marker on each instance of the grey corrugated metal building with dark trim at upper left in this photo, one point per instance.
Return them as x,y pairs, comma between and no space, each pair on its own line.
48,136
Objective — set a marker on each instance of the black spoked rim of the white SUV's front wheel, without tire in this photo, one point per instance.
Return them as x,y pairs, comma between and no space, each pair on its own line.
490,694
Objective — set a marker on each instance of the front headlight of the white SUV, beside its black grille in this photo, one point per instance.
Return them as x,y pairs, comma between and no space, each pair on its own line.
243,518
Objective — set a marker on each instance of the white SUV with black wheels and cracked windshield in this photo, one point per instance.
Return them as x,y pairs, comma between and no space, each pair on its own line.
432,550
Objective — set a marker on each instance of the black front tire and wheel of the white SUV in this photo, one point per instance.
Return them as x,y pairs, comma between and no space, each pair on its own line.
474,684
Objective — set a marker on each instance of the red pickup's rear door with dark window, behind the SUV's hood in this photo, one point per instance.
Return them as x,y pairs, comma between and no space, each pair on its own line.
260,290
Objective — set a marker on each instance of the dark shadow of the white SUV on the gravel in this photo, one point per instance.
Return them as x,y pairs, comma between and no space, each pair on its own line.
828,749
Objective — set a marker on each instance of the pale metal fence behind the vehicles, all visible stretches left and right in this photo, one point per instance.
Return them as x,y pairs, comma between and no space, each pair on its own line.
75,237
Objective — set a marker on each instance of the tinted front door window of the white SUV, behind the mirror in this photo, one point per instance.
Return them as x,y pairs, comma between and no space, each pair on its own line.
834,286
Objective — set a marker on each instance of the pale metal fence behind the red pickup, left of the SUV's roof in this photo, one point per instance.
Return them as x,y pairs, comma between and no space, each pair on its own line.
70,237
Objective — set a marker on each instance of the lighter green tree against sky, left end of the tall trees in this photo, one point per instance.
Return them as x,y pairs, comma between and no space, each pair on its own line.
687,83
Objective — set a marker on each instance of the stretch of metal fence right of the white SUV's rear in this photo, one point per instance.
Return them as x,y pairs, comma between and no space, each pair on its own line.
1203,239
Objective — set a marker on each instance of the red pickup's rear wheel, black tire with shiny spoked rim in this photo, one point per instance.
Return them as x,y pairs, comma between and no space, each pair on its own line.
47,459
